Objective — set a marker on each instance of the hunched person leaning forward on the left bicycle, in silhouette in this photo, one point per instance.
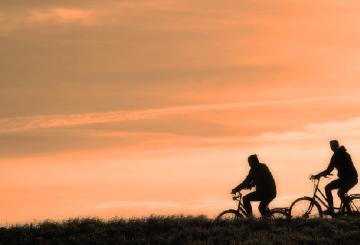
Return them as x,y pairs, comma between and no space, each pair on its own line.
260,177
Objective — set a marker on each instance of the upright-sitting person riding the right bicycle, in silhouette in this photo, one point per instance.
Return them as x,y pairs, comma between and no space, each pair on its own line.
348,177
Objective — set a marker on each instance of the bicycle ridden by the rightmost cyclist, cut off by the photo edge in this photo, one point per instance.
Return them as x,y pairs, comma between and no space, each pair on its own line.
310,207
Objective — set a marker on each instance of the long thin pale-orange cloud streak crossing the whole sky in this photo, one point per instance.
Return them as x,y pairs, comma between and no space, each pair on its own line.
15,124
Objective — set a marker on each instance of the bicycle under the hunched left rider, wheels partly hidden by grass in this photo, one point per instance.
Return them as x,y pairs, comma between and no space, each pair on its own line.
240,212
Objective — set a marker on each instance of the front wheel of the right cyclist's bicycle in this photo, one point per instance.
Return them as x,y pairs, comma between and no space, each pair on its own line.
305,207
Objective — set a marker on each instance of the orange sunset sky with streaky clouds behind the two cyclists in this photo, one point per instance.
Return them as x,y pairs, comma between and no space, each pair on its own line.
123,108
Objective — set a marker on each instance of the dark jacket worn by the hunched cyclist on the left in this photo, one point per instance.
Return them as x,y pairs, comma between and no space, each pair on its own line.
261,177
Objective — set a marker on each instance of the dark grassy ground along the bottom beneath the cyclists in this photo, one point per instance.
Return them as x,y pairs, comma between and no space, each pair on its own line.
185,230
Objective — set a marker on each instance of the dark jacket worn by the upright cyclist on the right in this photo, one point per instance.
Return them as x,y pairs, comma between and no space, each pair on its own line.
341,160
